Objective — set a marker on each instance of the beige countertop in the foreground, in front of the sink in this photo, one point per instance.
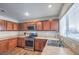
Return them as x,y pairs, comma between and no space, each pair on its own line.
55,50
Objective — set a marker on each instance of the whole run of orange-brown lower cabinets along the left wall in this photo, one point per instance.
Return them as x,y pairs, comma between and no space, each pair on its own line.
8,45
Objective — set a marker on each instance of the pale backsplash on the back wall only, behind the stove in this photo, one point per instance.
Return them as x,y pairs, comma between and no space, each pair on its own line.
41,33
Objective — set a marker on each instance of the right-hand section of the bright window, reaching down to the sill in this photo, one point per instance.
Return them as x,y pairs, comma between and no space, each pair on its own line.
73,22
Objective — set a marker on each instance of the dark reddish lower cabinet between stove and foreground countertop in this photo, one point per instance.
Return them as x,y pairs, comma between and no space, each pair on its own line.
40,44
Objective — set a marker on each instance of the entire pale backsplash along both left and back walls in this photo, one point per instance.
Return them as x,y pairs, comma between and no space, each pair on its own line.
5,34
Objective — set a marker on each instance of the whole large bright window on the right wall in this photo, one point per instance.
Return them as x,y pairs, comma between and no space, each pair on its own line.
69,24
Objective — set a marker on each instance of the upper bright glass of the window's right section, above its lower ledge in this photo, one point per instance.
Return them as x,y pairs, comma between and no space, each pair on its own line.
73,19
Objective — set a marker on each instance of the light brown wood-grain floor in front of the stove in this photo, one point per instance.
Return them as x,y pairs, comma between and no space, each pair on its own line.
21,51
